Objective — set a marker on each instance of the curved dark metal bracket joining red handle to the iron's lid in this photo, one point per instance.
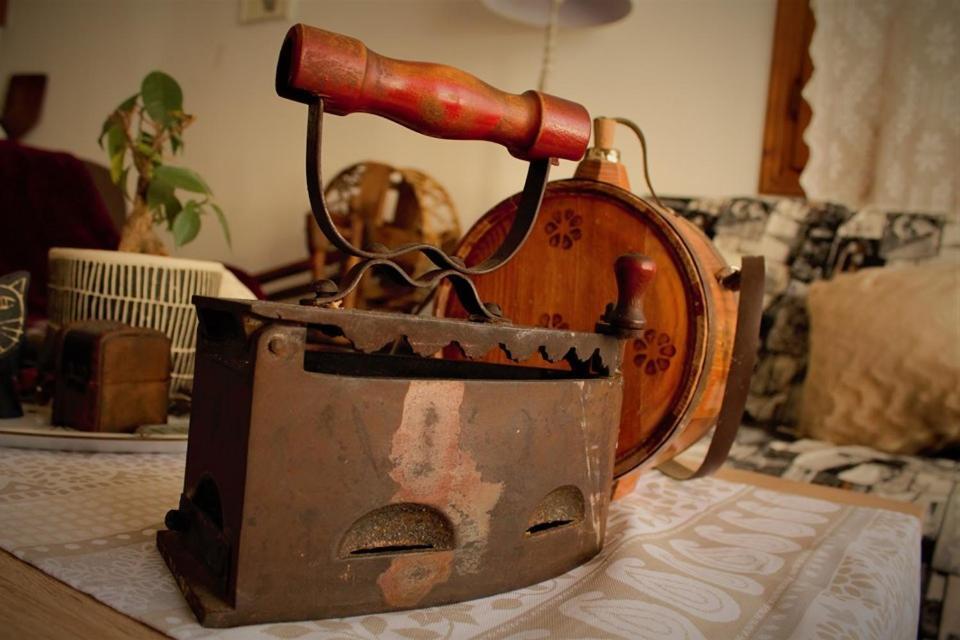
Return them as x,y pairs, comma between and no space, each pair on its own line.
448,266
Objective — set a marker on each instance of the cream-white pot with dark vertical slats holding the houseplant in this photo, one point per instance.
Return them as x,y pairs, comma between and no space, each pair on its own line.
139,290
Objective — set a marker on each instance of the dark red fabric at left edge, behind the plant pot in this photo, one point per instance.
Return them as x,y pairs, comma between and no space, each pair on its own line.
47,199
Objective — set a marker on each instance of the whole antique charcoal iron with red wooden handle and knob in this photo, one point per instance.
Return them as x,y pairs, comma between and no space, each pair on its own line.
336,464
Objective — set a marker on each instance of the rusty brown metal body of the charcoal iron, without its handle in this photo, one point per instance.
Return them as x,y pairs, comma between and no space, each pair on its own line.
309,494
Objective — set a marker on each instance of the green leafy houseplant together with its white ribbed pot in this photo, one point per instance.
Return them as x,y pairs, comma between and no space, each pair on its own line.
140,284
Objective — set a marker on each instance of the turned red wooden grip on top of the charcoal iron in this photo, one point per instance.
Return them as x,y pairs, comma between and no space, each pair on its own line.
433,99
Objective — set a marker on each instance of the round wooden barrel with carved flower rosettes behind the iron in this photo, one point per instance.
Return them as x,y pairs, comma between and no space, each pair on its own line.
675,375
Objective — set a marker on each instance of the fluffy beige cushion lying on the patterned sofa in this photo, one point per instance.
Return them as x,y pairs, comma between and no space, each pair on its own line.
884,365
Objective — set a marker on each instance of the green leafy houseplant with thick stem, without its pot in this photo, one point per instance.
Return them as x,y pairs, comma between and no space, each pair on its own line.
142,128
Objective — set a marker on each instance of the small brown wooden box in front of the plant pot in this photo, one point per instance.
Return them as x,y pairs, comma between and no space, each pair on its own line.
111,377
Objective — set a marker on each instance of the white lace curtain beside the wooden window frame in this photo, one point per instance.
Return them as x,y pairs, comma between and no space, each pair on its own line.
885,95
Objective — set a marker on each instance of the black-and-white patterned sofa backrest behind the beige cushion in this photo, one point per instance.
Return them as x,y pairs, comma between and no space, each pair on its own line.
802,242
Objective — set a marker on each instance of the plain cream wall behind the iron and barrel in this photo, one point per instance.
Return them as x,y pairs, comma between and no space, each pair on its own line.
692,73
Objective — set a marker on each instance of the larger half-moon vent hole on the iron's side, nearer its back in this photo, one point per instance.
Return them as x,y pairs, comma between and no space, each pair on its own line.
398,528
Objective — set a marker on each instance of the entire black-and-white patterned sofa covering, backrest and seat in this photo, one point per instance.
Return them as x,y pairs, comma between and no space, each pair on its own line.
803,242
